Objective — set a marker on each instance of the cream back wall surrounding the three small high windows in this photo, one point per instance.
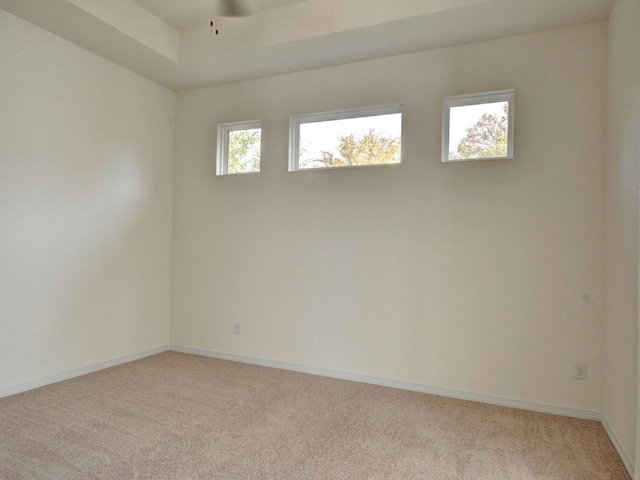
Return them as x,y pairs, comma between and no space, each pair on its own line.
484,277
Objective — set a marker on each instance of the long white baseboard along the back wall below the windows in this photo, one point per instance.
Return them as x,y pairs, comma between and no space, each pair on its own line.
385,382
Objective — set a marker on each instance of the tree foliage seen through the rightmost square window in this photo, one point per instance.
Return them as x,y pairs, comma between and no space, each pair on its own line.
487,138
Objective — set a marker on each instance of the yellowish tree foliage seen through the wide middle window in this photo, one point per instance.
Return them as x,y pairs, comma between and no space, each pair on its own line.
371,148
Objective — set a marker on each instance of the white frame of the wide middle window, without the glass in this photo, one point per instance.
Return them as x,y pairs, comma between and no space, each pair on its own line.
296,120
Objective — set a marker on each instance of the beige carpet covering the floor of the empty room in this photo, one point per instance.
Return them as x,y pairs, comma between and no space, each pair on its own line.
176,416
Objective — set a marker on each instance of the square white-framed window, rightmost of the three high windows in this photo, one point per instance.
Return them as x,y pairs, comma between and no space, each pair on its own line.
478,126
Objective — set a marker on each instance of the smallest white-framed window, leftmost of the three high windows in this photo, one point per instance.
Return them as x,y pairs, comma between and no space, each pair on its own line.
238,147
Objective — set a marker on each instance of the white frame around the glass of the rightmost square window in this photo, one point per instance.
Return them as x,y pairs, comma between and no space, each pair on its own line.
477,99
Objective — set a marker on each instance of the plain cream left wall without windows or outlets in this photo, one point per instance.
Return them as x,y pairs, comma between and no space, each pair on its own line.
86,152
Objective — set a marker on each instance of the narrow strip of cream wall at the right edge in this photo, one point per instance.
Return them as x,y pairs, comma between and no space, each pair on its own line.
620,339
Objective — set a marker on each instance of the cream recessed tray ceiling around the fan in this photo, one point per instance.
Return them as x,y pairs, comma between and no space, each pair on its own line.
171,42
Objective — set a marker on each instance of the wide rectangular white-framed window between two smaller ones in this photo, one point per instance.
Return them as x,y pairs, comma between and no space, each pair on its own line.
346,138
